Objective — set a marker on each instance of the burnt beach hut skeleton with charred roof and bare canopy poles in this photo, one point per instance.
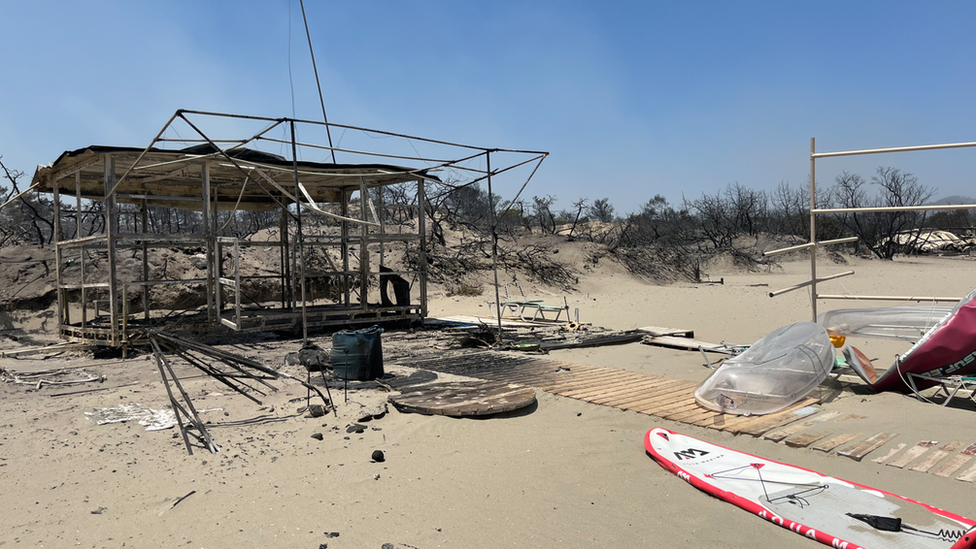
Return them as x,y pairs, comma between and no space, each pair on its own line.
113,304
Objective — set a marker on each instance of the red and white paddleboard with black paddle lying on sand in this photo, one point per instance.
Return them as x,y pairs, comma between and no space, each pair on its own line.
832,511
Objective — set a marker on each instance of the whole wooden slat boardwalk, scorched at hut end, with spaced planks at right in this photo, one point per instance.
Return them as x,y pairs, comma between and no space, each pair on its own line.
673,399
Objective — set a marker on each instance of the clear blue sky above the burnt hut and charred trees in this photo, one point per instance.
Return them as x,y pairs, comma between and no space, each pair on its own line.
632,99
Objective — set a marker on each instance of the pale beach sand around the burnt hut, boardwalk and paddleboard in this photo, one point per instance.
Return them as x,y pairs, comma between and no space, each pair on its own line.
562,474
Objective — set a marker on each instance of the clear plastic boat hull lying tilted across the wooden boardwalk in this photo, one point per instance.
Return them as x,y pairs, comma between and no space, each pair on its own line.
775,372
